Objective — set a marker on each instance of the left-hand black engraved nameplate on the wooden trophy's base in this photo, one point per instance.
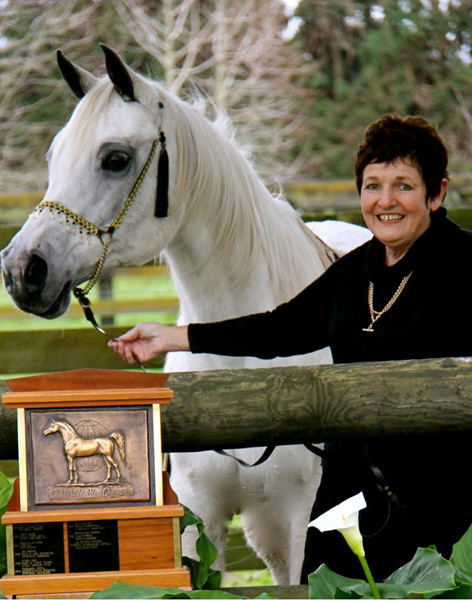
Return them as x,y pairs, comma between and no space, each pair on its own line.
38,548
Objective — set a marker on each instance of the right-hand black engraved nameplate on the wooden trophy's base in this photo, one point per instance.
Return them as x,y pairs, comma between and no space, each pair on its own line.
93,546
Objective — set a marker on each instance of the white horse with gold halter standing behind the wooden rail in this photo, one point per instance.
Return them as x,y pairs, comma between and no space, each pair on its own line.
232,250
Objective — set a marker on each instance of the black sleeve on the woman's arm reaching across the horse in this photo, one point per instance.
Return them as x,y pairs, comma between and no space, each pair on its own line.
296,327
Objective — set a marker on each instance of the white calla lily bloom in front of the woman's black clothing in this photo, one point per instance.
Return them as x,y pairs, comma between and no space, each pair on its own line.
344,518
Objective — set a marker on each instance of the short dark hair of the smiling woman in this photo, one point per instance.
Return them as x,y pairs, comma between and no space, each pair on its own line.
411,139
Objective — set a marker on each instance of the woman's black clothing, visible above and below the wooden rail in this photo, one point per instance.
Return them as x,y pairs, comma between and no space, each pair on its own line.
431,318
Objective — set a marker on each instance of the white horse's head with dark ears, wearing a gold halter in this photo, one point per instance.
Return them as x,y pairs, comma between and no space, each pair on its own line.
95,165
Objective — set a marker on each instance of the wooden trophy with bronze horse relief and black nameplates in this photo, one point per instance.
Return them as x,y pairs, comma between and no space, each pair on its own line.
92,504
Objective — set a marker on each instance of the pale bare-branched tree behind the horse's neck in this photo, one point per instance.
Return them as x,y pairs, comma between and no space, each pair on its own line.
233,52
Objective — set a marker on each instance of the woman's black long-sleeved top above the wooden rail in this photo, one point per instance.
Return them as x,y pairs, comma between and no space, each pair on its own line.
430,319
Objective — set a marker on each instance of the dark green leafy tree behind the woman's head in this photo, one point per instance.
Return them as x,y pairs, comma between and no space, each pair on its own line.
403,56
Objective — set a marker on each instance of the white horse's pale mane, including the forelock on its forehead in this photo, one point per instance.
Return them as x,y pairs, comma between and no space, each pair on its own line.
217,183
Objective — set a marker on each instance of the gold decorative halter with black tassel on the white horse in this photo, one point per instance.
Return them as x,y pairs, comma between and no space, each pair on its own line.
105,234
